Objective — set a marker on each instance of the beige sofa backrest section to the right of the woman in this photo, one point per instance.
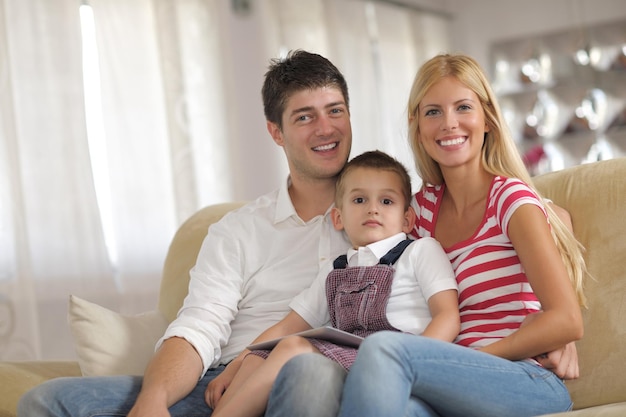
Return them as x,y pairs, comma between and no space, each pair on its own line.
595,196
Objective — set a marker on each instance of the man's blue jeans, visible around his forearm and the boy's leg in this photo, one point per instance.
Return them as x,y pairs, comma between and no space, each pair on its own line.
115,395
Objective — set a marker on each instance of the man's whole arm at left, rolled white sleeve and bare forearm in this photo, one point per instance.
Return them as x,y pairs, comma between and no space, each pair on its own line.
177,365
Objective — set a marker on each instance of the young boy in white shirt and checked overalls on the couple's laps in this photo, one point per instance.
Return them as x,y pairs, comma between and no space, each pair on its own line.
364,293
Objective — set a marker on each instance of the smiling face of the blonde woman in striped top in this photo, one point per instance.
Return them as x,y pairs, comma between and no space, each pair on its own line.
452,123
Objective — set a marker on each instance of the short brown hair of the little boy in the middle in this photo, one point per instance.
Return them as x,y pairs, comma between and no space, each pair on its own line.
376,160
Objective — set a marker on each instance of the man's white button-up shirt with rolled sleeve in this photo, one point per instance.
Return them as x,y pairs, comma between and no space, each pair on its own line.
250,266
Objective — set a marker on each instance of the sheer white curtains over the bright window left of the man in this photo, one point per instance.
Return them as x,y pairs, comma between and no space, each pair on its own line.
95,180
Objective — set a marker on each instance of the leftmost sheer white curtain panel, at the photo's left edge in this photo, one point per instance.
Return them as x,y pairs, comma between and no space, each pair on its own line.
50,229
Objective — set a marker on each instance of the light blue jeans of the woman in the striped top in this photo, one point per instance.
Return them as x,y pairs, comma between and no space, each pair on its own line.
397,374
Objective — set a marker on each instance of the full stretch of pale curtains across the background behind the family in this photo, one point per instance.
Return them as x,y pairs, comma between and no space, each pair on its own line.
119,119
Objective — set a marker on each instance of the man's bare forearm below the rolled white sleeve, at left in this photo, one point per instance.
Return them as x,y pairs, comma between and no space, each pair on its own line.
172,373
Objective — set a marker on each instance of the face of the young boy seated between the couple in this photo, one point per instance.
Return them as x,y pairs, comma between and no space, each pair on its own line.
372,207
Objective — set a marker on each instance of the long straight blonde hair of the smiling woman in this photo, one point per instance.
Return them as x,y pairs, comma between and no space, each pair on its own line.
499,153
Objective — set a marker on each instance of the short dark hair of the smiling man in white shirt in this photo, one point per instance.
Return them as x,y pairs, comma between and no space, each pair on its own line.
299,70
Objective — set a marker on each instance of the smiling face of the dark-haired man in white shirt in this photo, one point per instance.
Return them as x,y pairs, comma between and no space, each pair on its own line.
316,133
